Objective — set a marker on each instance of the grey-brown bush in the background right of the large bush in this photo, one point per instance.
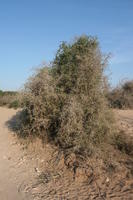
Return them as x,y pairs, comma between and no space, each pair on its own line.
122,96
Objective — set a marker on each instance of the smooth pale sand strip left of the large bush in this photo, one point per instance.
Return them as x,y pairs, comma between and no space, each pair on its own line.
15,174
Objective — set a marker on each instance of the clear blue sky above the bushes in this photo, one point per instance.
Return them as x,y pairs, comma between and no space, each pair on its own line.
31,31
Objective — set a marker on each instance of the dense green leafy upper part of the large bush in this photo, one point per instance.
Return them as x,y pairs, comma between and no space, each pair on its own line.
68,61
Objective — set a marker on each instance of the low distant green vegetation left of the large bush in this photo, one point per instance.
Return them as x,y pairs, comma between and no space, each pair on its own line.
9,98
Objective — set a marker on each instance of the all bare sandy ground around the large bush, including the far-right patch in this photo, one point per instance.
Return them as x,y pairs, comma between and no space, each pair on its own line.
19,170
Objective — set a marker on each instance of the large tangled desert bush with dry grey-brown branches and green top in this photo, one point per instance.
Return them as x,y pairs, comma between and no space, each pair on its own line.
65,103
